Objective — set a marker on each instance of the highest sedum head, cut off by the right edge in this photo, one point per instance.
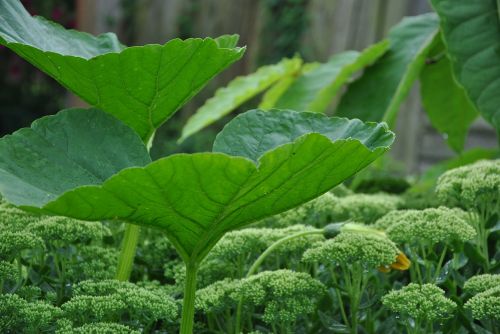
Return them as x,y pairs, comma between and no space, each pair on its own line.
471,186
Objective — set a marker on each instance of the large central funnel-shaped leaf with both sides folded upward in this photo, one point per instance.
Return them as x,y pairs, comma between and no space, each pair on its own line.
265,163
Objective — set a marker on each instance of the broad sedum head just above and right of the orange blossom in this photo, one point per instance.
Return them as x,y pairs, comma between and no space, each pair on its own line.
433,225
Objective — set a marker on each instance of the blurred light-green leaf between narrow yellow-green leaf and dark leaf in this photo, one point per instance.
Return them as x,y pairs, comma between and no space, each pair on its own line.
316,89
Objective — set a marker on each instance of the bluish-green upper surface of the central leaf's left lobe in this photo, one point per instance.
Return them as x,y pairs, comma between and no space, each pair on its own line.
59,153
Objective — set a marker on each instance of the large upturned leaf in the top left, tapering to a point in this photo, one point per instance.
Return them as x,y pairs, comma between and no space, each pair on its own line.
141,86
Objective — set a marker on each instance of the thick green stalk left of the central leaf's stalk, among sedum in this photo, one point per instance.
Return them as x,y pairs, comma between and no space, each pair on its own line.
127,252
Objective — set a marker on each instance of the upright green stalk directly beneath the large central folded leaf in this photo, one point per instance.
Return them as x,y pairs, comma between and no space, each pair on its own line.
187,320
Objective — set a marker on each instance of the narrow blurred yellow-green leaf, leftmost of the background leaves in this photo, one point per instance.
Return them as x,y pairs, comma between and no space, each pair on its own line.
238,91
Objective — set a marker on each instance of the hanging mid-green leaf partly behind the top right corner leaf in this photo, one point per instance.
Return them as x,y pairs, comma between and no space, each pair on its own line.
445,101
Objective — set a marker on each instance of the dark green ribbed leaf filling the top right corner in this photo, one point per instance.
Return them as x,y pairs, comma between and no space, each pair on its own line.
471,31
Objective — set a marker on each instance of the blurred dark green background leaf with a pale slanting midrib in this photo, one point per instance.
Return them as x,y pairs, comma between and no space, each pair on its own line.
378,94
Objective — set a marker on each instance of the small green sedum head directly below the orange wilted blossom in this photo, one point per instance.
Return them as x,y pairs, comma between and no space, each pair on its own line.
424,302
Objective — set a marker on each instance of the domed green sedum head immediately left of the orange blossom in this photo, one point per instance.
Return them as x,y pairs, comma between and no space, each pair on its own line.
368,249
